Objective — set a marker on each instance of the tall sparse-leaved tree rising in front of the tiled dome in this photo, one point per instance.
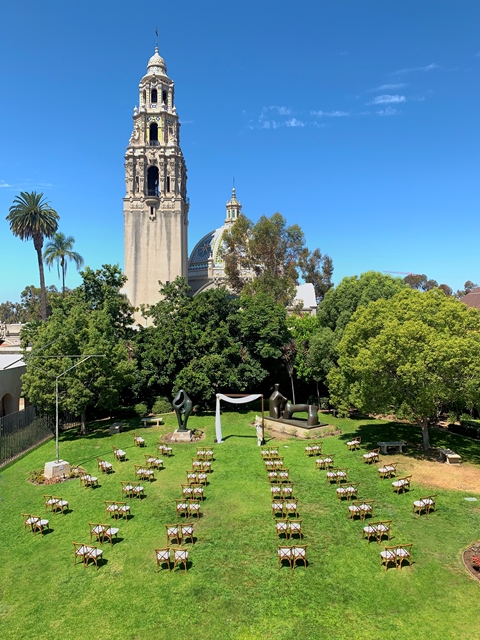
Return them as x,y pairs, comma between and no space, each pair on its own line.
274,254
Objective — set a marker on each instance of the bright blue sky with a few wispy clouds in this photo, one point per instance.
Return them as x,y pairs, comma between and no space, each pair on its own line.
357,119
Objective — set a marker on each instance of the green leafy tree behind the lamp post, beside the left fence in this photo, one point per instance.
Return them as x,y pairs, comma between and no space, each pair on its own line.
75,328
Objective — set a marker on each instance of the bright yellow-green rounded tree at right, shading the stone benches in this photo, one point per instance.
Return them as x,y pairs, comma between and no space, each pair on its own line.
412,355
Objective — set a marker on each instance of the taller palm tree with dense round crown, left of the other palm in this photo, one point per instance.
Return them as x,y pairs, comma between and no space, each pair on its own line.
31,217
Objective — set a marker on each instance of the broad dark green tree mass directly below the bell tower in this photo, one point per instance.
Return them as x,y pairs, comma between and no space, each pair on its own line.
208,343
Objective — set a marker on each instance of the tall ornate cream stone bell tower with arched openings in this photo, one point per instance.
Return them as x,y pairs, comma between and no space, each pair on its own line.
156,205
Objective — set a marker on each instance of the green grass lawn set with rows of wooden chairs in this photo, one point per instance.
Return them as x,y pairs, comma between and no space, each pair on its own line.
233,588
